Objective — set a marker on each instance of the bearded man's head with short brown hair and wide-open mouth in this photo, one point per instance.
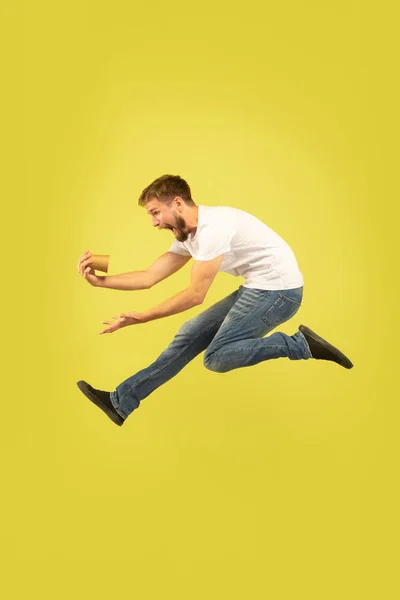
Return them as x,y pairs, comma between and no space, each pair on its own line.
169,202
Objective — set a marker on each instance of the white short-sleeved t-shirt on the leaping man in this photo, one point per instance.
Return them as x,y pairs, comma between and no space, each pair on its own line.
251,249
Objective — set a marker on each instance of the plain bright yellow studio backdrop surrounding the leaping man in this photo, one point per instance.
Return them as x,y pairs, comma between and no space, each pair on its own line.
277,481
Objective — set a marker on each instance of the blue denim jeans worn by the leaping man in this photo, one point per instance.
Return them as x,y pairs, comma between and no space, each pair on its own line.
231,333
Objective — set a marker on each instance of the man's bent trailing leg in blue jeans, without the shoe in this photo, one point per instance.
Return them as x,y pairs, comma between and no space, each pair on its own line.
240,342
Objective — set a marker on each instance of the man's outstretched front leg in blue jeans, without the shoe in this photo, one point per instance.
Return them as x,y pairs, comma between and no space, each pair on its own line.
193,337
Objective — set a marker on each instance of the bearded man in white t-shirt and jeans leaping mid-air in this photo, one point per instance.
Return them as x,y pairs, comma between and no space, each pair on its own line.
231,332
